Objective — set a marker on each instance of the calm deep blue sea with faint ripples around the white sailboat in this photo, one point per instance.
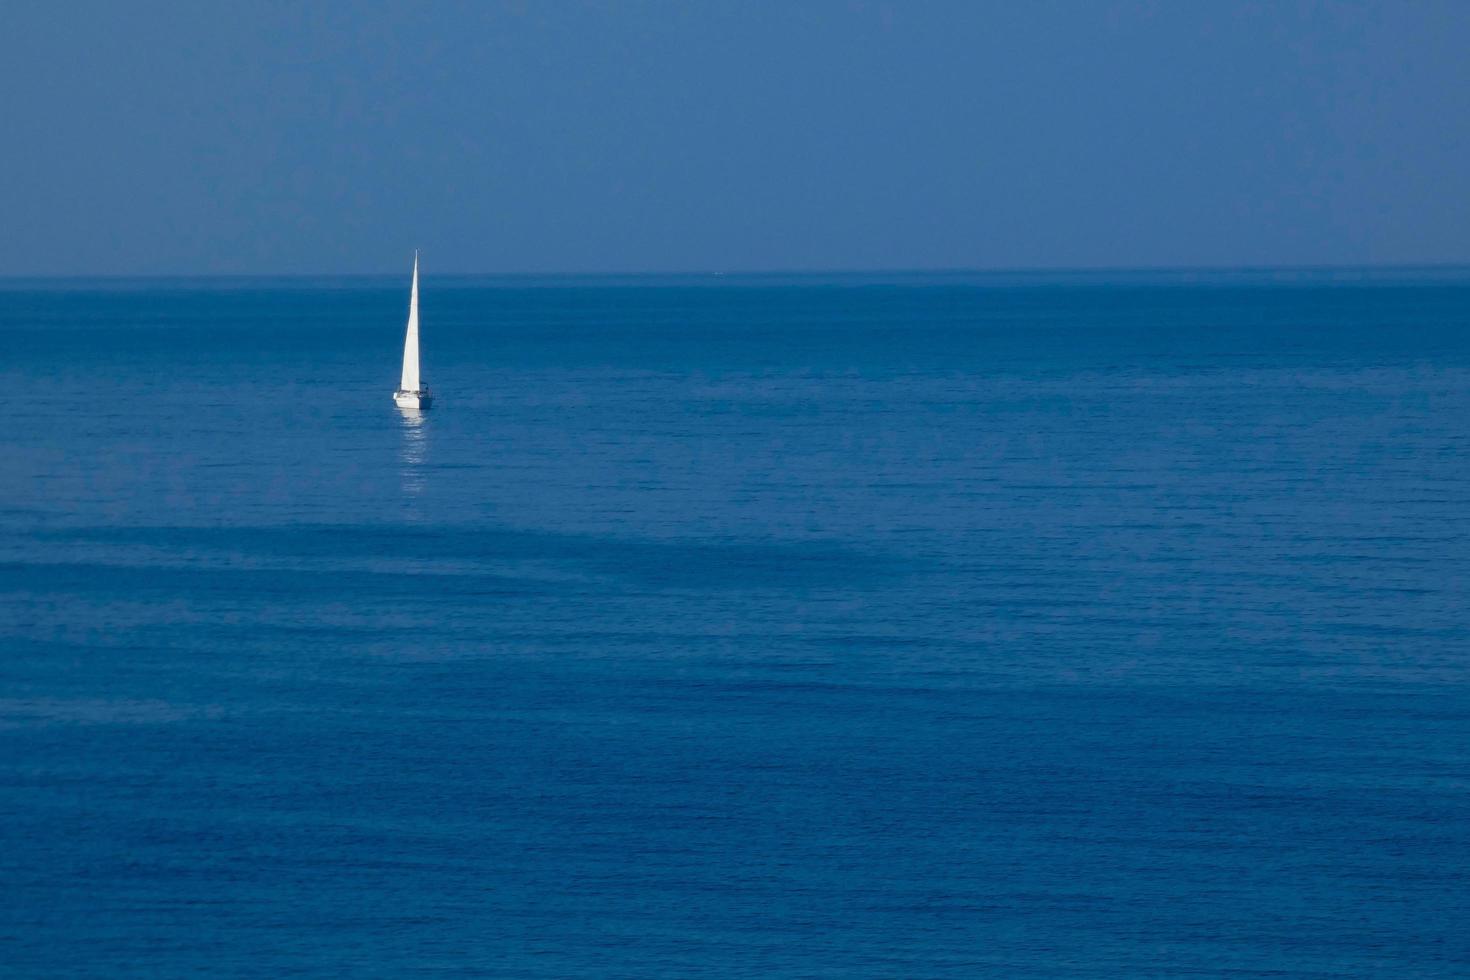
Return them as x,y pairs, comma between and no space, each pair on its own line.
1109,625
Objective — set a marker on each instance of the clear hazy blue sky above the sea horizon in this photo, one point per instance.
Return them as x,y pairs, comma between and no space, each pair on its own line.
545,137
